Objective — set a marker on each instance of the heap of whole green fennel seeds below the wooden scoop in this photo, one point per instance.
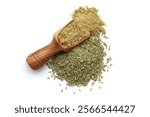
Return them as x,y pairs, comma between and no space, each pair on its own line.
82,64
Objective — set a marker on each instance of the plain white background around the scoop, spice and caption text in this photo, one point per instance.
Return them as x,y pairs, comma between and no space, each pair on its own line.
27,25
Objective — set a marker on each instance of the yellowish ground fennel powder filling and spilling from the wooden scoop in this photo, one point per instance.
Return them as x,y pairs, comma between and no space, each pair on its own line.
84,20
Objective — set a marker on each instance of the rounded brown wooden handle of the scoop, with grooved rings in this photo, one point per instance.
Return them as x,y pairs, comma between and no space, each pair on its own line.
38,58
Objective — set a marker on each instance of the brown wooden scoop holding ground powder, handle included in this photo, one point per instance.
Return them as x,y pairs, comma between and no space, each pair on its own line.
38,58
